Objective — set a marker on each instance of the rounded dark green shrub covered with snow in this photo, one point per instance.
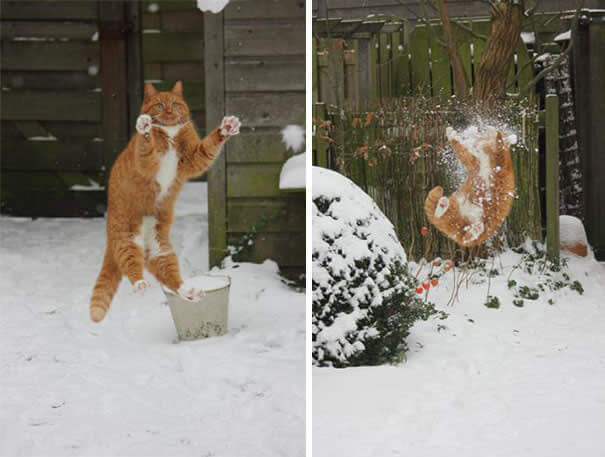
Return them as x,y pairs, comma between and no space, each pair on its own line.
364,300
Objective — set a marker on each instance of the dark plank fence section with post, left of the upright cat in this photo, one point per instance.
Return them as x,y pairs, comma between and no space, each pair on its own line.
71,89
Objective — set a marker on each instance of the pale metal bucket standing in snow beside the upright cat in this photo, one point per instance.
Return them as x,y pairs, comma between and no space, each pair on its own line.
205,318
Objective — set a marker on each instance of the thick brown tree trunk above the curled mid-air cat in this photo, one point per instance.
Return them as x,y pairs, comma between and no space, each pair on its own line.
501,45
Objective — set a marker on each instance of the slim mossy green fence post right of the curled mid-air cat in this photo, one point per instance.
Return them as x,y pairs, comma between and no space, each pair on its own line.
552,177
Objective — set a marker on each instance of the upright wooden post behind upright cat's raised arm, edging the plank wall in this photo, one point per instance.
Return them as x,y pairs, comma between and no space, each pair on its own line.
215,109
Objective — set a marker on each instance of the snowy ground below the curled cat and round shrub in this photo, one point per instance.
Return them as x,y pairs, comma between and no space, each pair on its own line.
495,382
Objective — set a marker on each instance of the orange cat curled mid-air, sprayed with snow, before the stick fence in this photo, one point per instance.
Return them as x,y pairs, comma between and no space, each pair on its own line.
476,209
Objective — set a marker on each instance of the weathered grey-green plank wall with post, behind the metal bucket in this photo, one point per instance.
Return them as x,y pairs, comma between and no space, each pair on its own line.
256,69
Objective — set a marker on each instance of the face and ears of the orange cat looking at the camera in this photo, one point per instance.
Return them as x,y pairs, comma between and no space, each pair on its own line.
166,108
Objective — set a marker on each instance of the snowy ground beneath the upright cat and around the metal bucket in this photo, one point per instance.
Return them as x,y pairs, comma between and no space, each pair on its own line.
127,387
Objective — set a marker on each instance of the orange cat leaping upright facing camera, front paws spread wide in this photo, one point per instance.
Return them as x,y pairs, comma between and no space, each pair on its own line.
144,183
